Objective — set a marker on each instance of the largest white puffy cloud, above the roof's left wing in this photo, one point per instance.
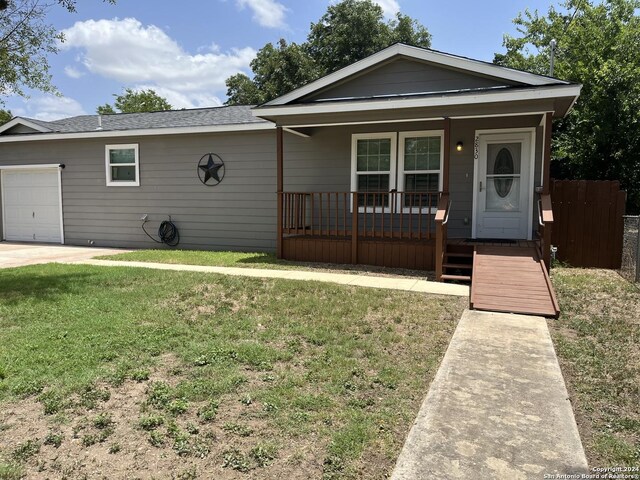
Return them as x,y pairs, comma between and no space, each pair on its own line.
136,55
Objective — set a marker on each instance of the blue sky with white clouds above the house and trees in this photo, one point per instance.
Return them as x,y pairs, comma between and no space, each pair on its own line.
185,50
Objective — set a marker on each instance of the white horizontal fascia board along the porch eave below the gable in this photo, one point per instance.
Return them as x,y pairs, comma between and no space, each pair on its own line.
440,101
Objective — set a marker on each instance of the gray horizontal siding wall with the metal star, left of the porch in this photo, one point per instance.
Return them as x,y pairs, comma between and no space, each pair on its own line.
238,214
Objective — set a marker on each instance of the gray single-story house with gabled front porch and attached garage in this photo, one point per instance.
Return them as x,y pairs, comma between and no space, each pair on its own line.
383,162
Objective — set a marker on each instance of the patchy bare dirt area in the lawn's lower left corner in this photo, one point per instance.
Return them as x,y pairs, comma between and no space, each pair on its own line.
122,436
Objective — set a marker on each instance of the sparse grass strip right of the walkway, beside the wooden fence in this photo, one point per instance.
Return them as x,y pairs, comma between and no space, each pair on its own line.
597,339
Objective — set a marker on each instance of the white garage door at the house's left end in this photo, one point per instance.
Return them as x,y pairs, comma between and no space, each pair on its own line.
31,205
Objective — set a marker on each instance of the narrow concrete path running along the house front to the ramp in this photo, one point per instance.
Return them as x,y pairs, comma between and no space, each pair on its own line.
372,281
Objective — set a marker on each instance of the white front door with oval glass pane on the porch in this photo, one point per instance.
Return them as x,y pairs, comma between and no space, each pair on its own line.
504,188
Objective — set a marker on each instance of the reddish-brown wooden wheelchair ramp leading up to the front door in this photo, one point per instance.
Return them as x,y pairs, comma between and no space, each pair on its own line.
512,280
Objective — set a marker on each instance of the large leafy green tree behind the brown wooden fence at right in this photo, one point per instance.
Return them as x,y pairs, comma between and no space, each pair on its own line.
598,45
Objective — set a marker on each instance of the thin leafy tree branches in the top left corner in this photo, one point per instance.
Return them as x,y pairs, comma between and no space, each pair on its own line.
26,39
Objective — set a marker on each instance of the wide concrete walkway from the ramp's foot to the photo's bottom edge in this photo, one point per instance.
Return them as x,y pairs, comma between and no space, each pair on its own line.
497,408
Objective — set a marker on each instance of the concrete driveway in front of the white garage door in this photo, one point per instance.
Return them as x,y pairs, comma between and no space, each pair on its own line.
21,254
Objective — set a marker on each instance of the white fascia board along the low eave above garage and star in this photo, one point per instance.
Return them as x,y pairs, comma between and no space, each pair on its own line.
139,132
